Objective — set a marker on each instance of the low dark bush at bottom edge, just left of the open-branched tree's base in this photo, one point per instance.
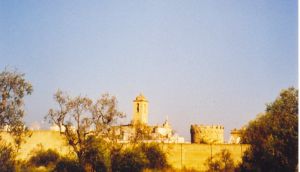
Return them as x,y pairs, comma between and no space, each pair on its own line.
66,165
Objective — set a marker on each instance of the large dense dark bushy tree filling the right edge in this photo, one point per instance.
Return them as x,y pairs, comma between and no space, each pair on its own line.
273,136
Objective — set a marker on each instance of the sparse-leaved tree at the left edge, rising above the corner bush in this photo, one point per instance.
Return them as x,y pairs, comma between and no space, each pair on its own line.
13,89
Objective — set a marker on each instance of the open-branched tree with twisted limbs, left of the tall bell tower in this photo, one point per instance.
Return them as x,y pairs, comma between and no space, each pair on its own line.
80,118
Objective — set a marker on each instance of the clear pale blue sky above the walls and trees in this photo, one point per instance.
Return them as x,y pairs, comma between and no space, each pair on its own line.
197,62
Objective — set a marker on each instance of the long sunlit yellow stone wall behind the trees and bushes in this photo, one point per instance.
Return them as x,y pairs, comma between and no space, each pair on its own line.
179,155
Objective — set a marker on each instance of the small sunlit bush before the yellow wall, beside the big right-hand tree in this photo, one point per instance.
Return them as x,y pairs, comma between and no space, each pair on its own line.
221,162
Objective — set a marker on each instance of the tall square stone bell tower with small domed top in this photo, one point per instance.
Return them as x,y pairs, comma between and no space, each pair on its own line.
140,110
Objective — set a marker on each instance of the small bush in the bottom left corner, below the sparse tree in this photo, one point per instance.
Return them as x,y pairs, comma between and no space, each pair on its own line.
7,158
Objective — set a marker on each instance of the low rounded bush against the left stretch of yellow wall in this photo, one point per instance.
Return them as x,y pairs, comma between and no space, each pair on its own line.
43,157
